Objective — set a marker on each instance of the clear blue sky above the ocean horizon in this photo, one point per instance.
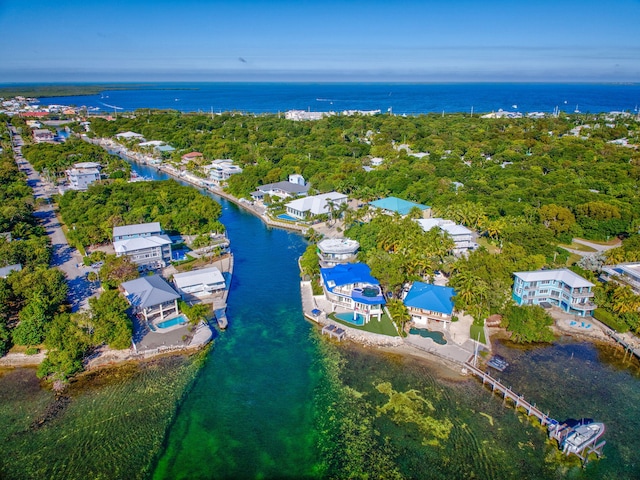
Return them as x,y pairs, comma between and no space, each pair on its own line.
309,40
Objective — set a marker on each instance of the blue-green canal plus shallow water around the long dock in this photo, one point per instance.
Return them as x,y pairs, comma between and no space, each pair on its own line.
274,400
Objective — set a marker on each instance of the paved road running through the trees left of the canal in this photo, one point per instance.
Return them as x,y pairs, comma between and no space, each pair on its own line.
64,257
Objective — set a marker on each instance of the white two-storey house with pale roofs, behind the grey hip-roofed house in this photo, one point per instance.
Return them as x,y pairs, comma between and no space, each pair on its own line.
145,244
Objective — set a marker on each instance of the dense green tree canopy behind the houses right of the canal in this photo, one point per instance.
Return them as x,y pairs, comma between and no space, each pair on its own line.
503,167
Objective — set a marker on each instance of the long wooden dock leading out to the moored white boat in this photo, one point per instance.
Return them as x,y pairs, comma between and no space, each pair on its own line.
556,430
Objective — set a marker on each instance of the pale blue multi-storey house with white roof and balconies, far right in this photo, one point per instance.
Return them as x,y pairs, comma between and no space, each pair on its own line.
562,288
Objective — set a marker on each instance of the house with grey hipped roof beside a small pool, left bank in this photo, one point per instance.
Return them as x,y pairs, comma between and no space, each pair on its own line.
151,297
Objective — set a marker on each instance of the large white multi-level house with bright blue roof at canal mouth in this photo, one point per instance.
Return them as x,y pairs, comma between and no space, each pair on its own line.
351,287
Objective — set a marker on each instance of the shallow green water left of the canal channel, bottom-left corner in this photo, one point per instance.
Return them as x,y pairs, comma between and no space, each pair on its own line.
111,425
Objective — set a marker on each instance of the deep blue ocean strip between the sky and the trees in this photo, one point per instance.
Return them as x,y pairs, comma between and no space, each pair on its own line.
397,98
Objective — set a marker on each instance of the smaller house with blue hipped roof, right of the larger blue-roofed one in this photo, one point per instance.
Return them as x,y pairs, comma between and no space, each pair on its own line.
426,302
